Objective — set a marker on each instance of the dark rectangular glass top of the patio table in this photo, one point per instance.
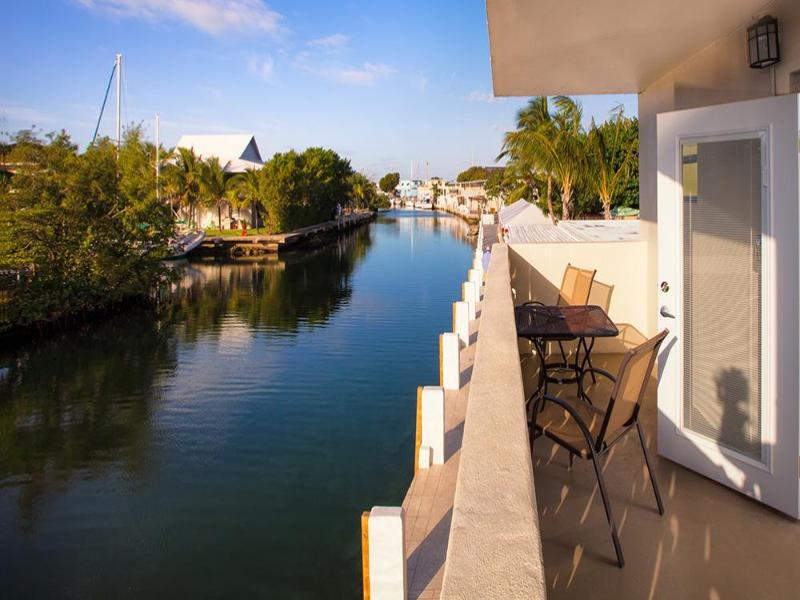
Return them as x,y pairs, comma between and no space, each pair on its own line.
563,322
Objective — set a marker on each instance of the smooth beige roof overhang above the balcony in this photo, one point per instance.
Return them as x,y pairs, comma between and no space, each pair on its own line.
553,47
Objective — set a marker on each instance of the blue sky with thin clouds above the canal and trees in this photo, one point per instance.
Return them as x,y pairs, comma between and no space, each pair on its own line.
382,83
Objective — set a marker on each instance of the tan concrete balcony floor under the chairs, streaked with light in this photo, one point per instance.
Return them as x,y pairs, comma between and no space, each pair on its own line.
712,542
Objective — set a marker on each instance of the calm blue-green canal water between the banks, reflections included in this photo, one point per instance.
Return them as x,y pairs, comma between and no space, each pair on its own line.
227,448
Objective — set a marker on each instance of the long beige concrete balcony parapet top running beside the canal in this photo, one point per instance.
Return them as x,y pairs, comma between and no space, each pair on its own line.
494,547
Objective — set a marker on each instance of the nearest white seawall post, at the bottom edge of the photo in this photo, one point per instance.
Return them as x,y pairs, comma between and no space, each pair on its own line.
387,554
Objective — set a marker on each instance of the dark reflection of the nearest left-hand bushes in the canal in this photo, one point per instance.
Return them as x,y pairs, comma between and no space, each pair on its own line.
79,404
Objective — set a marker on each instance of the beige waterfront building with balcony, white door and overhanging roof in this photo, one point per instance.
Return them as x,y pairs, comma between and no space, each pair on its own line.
713,260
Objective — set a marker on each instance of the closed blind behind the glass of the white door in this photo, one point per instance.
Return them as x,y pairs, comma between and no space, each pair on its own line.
722,292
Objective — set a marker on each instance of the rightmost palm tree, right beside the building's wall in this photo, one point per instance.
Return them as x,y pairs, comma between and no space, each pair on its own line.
611,157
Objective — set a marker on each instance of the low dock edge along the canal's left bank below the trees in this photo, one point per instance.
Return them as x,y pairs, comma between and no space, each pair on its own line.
253,245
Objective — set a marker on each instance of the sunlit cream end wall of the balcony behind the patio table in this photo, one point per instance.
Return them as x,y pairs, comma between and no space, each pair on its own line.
620,283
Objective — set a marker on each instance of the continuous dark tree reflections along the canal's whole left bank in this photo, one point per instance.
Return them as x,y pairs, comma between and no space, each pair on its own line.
81,403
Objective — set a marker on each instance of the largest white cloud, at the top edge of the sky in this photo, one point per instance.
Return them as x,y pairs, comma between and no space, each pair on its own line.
212,16
